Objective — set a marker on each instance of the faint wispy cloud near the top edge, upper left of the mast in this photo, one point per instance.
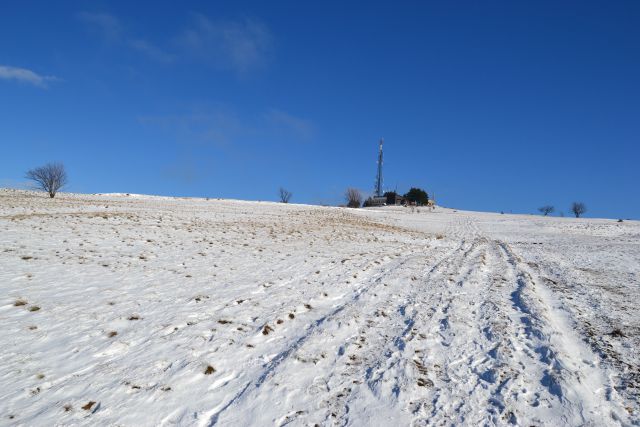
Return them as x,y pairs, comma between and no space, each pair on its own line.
239,45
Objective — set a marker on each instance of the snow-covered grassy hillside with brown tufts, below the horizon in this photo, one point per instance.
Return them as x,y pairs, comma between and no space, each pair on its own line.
138,310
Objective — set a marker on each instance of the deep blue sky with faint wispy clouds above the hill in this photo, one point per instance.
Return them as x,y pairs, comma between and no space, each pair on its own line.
491,105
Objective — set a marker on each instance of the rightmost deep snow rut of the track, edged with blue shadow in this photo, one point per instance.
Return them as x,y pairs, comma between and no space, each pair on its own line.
566,367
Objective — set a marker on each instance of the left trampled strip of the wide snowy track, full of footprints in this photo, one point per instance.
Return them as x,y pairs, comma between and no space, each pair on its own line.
449,353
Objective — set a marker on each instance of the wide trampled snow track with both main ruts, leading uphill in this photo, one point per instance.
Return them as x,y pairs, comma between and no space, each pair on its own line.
490,347
